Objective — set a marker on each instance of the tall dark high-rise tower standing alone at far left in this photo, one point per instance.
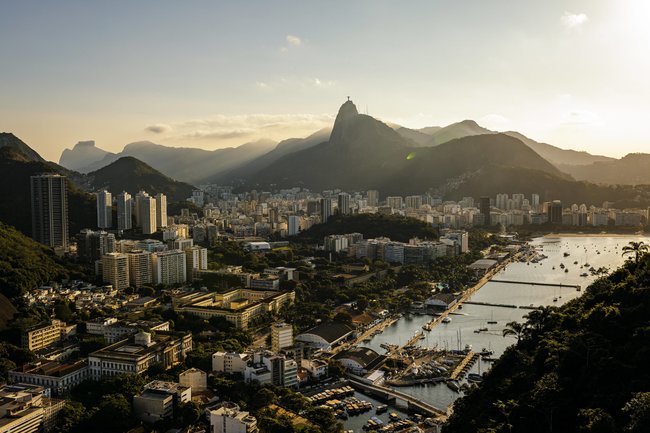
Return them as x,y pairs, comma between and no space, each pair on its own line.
49,196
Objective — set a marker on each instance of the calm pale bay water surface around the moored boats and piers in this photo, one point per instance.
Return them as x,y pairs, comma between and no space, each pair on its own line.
460,331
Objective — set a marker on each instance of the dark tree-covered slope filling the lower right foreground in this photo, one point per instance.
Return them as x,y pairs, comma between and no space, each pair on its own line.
578,368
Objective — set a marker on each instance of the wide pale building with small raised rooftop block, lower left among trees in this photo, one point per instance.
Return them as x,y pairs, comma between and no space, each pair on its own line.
136,354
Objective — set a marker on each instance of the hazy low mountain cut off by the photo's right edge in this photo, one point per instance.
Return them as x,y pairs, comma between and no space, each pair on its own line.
632,169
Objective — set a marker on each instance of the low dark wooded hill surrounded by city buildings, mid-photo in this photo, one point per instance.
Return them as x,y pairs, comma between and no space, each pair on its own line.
395,227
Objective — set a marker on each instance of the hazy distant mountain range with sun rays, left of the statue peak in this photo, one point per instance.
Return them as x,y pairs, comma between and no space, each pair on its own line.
187,164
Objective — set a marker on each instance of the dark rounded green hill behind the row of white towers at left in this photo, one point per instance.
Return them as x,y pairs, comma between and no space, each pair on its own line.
132,175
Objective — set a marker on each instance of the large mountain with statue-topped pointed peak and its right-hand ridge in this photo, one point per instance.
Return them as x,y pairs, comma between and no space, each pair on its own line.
364,153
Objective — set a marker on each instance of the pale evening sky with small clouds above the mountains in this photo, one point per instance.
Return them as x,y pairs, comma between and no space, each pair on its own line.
212,74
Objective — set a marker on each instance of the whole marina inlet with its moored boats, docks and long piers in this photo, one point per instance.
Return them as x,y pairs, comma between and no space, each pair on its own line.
504,299
